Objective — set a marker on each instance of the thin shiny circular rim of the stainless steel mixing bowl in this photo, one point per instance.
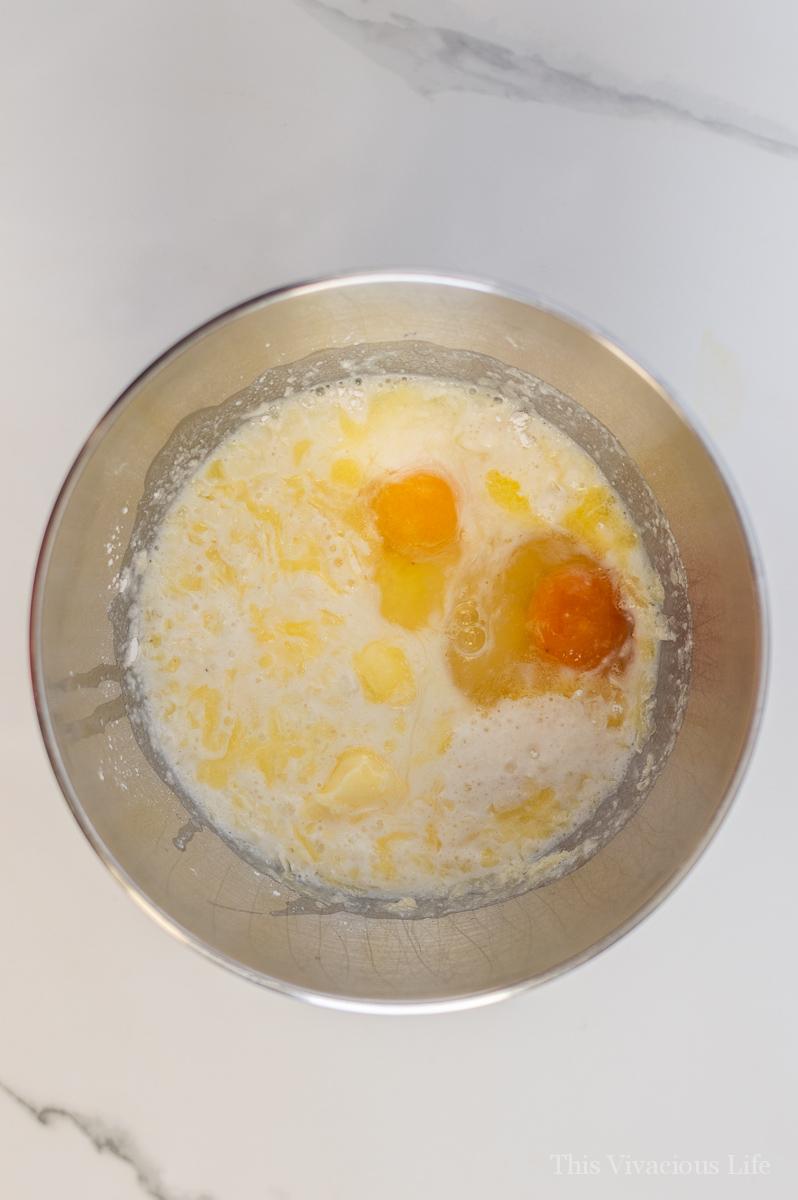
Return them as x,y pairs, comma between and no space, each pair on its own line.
353,279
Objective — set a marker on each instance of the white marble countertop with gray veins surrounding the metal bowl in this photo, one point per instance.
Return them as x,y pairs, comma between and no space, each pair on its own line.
635,163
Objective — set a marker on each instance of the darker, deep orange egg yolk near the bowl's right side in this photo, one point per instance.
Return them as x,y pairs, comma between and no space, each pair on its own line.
574,616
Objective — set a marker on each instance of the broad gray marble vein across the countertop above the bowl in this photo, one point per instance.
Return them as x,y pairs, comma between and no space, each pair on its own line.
436,59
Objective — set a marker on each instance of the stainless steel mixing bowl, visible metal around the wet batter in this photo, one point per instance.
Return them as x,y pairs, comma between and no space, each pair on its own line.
191,880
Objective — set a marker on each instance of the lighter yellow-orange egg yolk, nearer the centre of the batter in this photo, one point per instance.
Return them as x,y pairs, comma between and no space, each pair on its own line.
417,515
